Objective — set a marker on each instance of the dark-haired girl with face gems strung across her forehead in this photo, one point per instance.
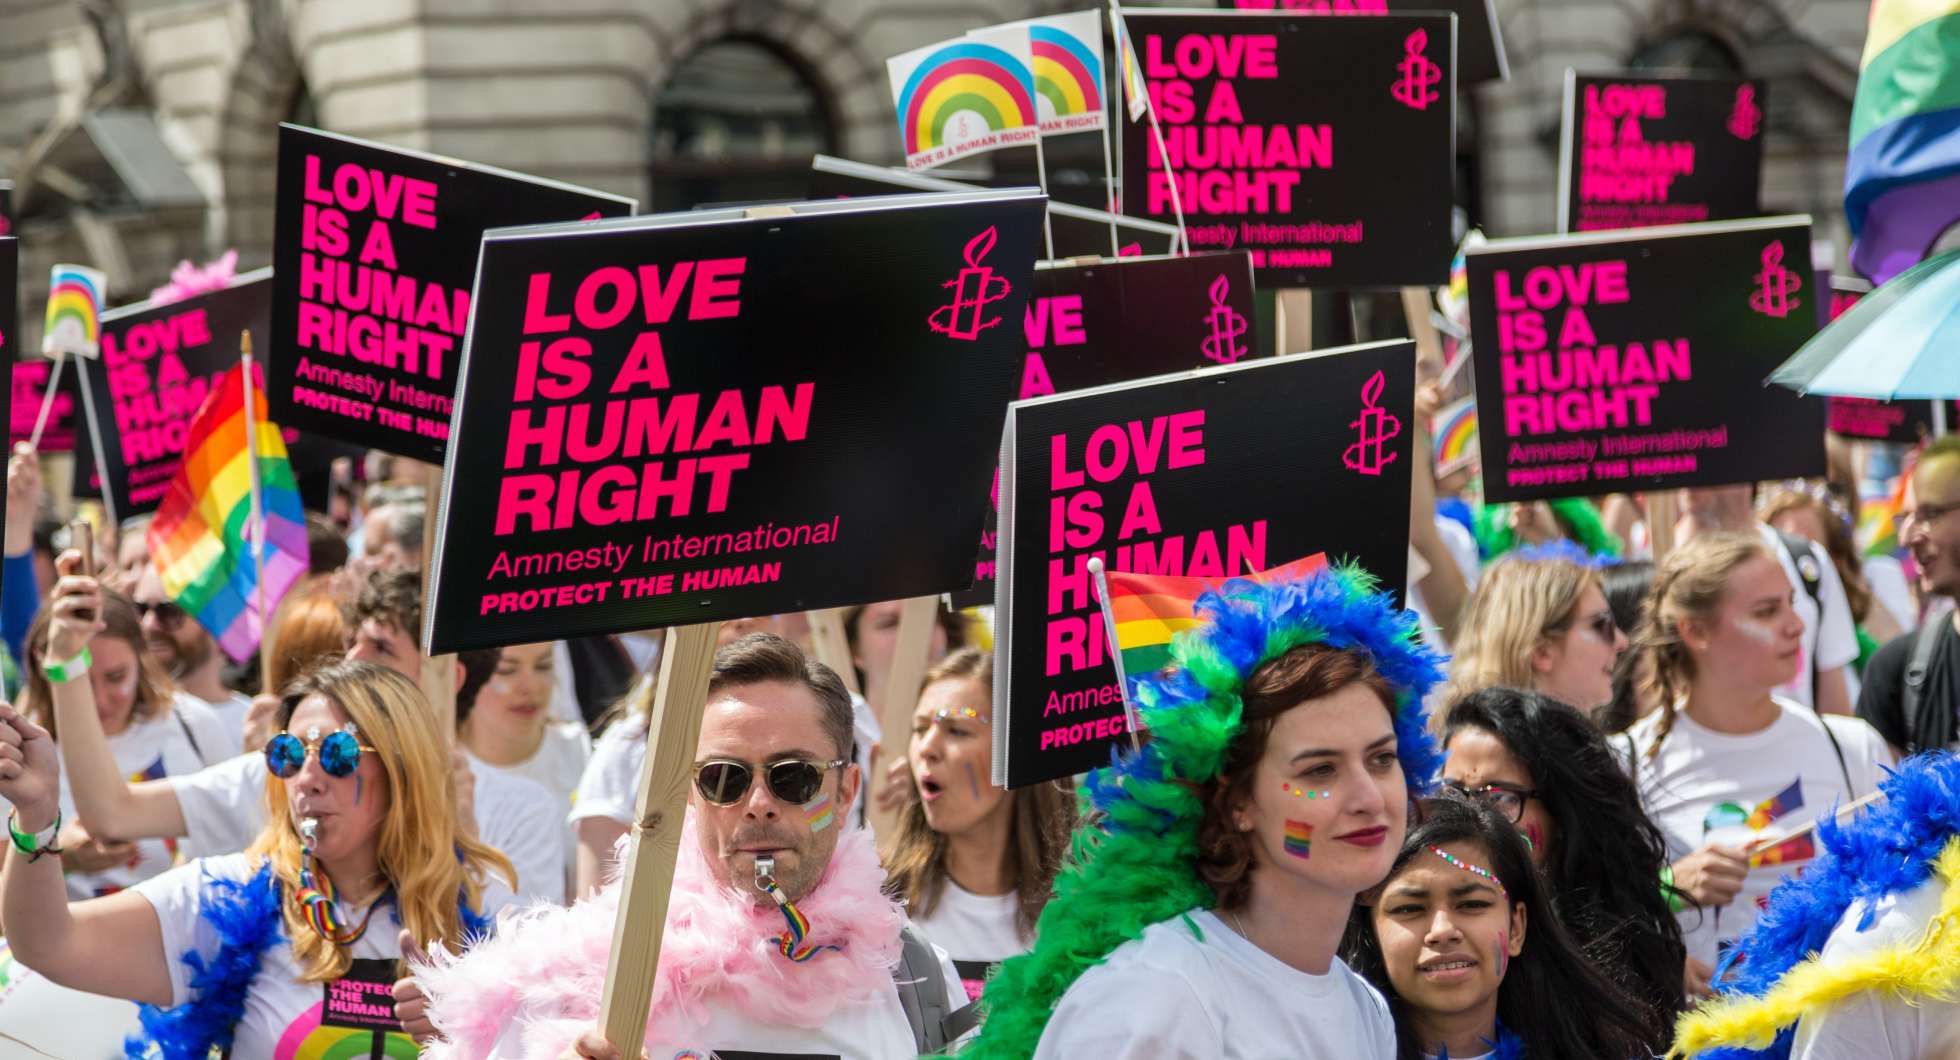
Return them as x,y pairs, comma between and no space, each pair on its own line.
1463,941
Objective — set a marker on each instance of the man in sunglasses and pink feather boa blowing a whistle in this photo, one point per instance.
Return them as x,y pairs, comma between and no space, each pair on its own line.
779,924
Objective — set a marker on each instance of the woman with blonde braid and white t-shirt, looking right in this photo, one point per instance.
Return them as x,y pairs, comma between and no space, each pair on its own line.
1726,767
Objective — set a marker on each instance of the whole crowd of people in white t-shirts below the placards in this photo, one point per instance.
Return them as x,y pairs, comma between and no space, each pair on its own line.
1555,800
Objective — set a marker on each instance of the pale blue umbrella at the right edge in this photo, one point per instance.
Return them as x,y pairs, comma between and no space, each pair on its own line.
1898,342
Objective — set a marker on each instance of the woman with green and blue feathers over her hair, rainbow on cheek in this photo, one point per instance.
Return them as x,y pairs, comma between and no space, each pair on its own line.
1206,904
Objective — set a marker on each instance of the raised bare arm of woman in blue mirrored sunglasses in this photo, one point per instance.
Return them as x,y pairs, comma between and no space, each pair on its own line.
107,945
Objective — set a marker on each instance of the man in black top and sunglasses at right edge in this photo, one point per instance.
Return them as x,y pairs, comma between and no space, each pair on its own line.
1912,687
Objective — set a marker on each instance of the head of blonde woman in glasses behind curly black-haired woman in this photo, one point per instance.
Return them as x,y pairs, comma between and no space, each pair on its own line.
1540,622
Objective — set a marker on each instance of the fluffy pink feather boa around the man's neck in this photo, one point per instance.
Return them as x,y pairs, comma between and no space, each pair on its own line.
546,969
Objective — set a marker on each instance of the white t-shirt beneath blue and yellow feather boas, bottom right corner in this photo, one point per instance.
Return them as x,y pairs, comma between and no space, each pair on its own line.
1877,1026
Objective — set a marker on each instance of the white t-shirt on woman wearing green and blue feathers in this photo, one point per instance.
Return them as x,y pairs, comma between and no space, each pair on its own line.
1175,996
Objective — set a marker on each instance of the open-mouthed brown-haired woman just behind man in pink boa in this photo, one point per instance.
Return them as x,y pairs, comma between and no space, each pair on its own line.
973,861
